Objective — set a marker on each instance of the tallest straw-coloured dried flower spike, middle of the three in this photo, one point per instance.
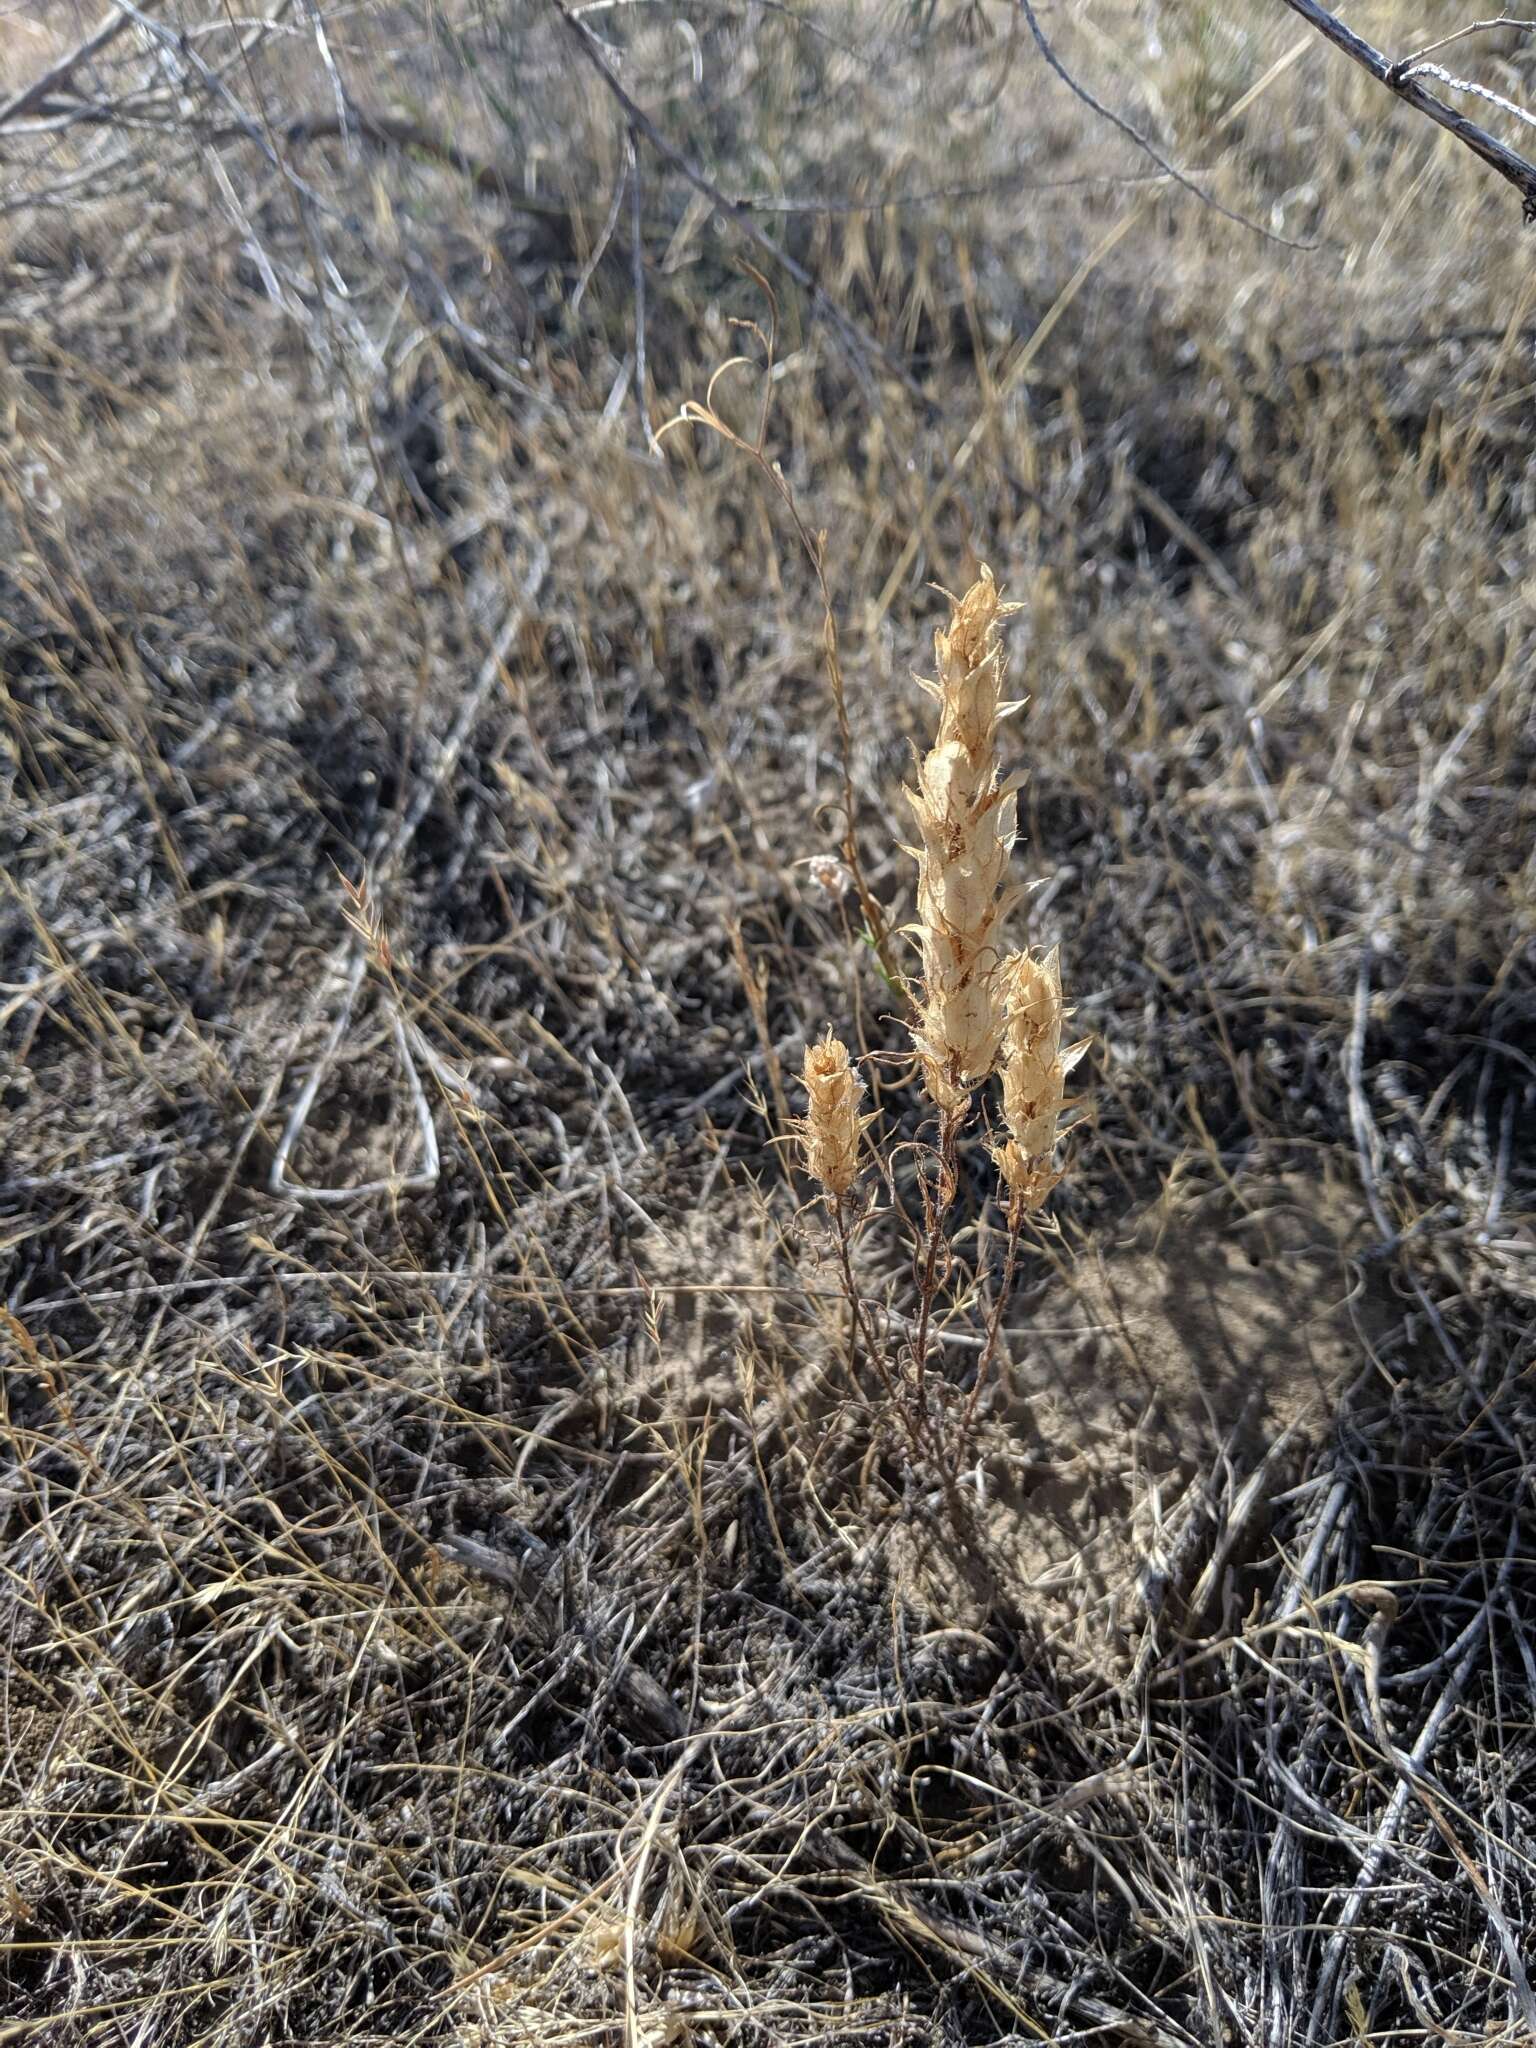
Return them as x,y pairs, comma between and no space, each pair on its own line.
966,818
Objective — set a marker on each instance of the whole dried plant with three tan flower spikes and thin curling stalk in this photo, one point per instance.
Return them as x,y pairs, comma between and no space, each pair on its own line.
978,1007
